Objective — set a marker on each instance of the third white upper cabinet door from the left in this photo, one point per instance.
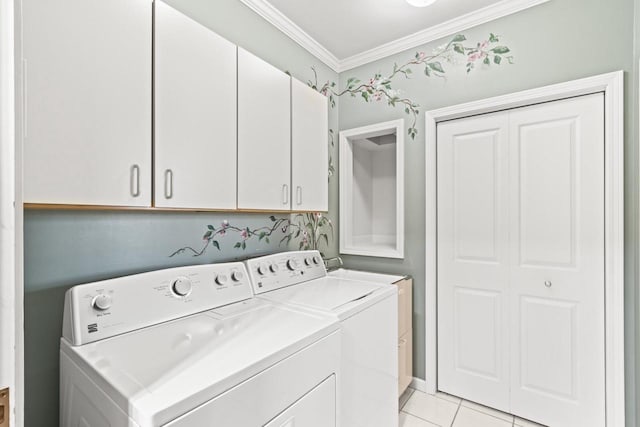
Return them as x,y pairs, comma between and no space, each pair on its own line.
264,135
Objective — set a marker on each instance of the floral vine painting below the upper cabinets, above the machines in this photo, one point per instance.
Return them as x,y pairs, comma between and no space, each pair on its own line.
312,229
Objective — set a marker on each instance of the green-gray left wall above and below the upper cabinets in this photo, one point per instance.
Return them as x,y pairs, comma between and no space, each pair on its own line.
67,248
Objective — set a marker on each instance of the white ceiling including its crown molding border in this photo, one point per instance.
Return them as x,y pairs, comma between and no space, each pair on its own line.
348,33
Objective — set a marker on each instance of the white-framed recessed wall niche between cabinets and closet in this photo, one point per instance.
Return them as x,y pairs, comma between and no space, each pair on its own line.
372,190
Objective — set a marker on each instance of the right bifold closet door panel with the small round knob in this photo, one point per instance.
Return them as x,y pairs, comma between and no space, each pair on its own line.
557,262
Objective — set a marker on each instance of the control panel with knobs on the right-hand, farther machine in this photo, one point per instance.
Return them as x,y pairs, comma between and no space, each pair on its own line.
276,271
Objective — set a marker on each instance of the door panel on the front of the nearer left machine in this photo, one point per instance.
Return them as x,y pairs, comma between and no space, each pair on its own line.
315,409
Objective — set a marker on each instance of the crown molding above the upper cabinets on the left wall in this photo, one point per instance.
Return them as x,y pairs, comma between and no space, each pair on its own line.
297,34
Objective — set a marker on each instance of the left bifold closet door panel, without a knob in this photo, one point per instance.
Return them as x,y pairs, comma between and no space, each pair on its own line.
473,346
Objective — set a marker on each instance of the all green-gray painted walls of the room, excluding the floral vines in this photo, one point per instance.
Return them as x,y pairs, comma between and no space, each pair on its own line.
558,41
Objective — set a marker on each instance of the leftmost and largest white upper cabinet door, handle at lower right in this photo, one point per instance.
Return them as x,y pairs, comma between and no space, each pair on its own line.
88,102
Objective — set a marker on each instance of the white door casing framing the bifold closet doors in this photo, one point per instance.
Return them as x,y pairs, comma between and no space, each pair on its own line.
612,84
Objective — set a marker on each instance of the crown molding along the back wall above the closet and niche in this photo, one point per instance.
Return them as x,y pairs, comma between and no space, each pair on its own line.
453,26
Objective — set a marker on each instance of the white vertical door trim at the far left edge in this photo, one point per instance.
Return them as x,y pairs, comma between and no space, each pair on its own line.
8,324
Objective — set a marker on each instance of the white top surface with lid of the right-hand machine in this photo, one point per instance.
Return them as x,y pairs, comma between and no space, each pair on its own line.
331,294
